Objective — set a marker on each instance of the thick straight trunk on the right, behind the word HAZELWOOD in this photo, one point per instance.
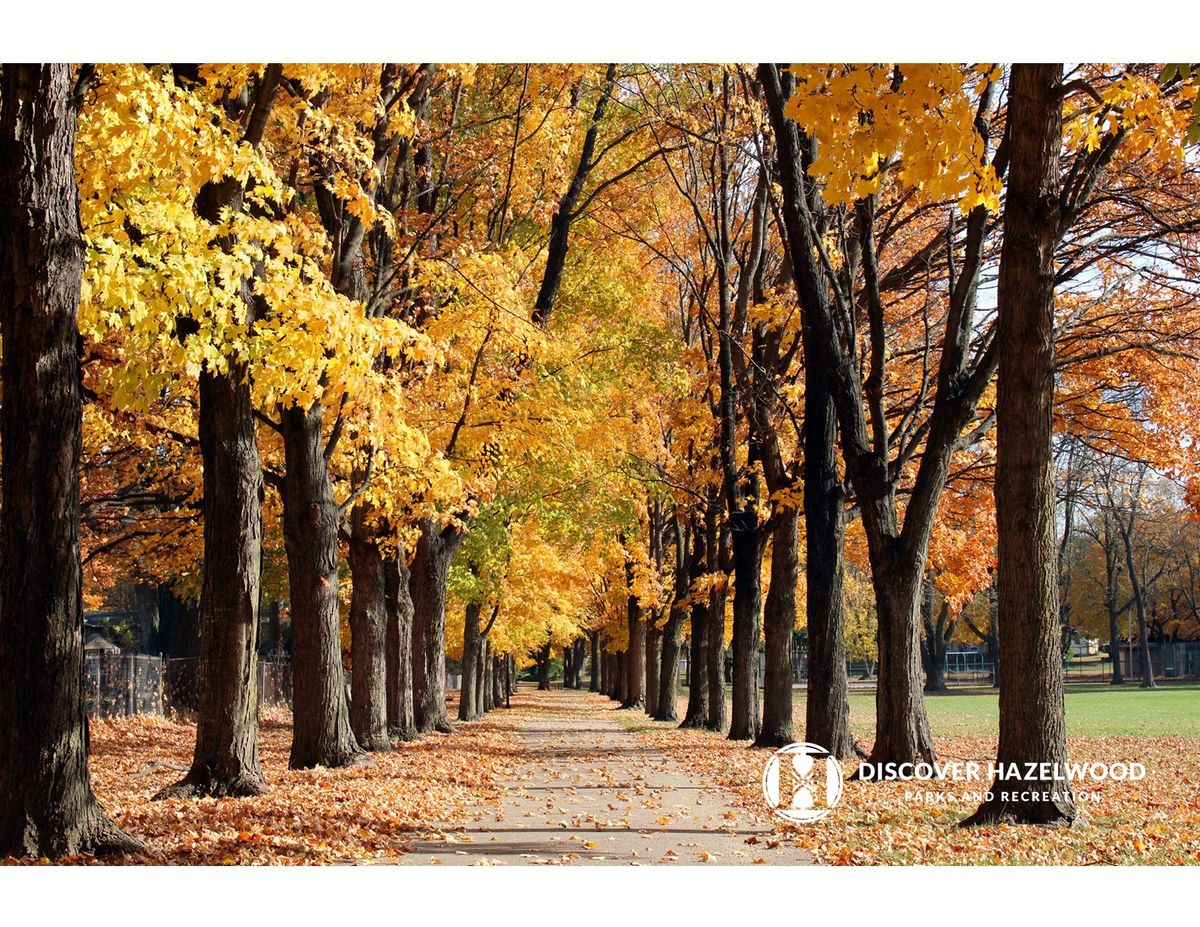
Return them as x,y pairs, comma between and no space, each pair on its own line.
1033,728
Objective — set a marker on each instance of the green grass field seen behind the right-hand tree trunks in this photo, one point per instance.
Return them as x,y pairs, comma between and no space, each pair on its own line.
1093,709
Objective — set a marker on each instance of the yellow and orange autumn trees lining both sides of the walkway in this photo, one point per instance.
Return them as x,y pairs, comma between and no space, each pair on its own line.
574,356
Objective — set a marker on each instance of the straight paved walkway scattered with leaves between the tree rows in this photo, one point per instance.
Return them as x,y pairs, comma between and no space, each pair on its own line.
592,793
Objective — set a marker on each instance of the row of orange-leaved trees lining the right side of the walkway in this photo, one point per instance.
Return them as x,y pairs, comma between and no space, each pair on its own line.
863,261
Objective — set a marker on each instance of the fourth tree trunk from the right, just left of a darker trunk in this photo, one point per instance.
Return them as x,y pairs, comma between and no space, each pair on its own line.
779,624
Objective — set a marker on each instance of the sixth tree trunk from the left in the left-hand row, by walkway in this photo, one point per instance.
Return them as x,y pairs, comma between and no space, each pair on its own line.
431,565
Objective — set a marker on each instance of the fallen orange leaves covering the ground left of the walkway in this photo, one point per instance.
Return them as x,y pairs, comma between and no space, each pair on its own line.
367,814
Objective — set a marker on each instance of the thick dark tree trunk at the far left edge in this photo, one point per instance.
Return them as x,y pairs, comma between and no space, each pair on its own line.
47,806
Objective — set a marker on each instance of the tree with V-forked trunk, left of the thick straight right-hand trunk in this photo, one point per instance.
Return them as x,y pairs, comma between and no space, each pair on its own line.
878,444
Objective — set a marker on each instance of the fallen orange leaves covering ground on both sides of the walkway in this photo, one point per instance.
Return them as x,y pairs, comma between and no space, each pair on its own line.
374,812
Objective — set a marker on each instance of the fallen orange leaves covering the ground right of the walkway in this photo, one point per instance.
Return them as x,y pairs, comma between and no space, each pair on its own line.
1155,822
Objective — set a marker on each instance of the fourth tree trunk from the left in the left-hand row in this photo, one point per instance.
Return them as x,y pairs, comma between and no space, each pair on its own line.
369,638
